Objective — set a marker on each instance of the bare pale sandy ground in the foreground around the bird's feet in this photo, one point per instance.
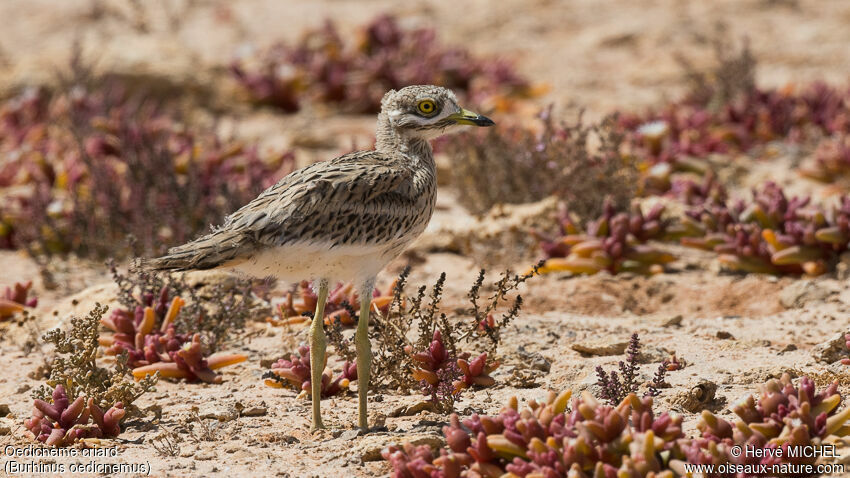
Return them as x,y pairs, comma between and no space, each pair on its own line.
731,331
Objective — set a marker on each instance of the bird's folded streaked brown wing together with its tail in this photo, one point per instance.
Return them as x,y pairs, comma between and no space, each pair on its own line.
312,204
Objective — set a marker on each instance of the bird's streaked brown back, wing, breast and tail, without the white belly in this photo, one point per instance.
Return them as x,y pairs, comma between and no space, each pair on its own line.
365,198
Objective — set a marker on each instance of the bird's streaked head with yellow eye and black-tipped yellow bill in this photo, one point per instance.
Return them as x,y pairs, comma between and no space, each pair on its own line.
427,111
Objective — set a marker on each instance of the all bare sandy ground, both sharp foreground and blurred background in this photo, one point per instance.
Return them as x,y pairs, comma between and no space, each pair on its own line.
598,55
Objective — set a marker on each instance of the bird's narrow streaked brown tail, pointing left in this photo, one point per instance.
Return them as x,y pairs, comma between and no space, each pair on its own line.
207,252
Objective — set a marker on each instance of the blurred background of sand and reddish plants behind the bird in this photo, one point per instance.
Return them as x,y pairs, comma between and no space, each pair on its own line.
130,126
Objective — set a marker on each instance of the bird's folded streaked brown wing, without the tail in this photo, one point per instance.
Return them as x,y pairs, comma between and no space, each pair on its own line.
308,204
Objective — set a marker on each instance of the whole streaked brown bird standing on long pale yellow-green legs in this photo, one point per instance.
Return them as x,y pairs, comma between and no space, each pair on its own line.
339,220
